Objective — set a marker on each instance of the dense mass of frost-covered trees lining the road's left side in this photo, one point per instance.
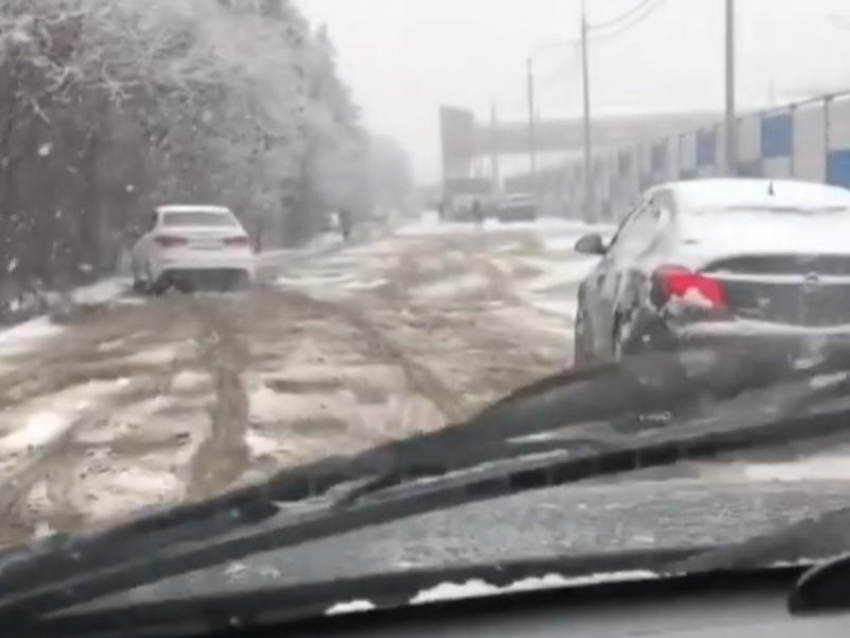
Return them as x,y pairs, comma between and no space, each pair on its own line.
109,106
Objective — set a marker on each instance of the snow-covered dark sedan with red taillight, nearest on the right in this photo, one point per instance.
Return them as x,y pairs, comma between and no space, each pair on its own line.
738,263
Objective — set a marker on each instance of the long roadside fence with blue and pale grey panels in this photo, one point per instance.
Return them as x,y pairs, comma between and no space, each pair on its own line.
807,140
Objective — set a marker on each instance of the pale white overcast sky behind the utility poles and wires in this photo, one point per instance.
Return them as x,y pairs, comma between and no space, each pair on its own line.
403,58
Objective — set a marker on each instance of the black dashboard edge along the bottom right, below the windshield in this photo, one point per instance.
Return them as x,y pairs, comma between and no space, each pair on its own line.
715,606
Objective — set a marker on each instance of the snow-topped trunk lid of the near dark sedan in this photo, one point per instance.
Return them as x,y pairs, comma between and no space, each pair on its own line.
783,267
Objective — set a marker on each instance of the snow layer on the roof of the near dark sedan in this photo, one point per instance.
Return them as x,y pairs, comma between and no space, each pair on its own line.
715,194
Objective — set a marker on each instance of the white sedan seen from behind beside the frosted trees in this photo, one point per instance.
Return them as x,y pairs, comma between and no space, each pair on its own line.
192,246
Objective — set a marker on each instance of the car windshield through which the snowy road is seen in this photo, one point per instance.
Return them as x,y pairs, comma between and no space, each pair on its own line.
408,216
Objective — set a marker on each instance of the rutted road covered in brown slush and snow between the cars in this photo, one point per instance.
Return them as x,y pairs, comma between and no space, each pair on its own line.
138,403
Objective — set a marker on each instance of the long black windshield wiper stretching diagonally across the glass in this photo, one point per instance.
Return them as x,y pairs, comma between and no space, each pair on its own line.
463,464
